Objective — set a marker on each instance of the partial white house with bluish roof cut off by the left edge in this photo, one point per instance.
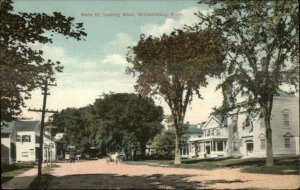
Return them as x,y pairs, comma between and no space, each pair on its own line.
8,143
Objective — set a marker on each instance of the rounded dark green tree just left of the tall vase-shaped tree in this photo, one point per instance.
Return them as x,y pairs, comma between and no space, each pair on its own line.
127,121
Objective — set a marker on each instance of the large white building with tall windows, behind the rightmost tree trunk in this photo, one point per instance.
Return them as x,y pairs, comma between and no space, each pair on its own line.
250,141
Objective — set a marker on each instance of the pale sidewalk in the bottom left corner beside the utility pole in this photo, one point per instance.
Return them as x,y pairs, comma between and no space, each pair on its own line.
21,181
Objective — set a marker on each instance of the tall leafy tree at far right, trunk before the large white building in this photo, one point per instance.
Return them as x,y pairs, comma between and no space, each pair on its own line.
261,54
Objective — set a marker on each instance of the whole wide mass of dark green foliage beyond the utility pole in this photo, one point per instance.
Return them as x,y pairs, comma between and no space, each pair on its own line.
116,122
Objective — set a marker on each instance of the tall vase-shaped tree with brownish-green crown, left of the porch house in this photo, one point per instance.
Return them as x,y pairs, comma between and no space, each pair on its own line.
174,67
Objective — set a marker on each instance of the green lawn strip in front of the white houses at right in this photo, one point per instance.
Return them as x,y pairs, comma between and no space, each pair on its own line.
282,165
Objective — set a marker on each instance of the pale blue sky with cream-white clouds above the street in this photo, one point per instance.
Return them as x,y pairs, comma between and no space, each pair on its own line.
97,64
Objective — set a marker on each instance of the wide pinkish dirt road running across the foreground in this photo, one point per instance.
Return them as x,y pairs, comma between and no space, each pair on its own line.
100,175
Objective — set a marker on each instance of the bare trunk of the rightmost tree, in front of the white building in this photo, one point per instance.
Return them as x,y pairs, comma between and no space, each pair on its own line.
269,143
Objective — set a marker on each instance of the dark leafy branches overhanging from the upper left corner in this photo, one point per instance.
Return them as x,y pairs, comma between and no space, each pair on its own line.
23,68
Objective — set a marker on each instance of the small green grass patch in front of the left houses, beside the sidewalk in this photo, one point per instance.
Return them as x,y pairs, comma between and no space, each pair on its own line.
9,171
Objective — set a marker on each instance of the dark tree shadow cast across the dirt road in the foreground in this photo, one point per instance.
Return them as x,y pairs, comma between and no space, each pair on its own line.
113,181
